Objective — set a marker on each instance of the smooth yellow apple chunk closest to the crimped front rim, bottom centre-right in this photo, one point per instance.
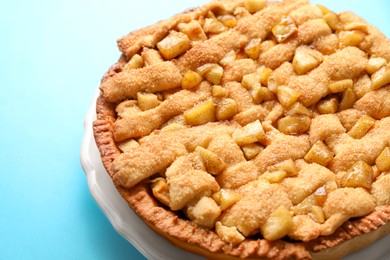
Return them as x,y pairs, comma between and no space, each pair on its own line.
278,224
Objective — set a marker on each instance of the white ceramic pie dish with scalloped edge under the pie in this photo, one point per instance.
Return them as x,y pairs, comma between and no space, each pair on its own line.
133,229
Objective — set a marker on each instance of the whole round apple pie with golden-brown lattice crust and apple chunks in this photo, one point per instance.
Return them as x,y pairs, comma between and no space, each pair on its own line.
252,129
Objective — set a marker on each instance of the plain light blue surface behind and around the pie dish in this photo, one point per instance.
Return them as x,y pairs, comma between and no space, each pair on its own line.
52,56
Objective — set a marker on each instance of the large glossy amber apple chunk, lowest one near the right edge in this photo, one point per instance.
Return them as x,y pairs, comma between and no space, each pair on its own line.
359,175
